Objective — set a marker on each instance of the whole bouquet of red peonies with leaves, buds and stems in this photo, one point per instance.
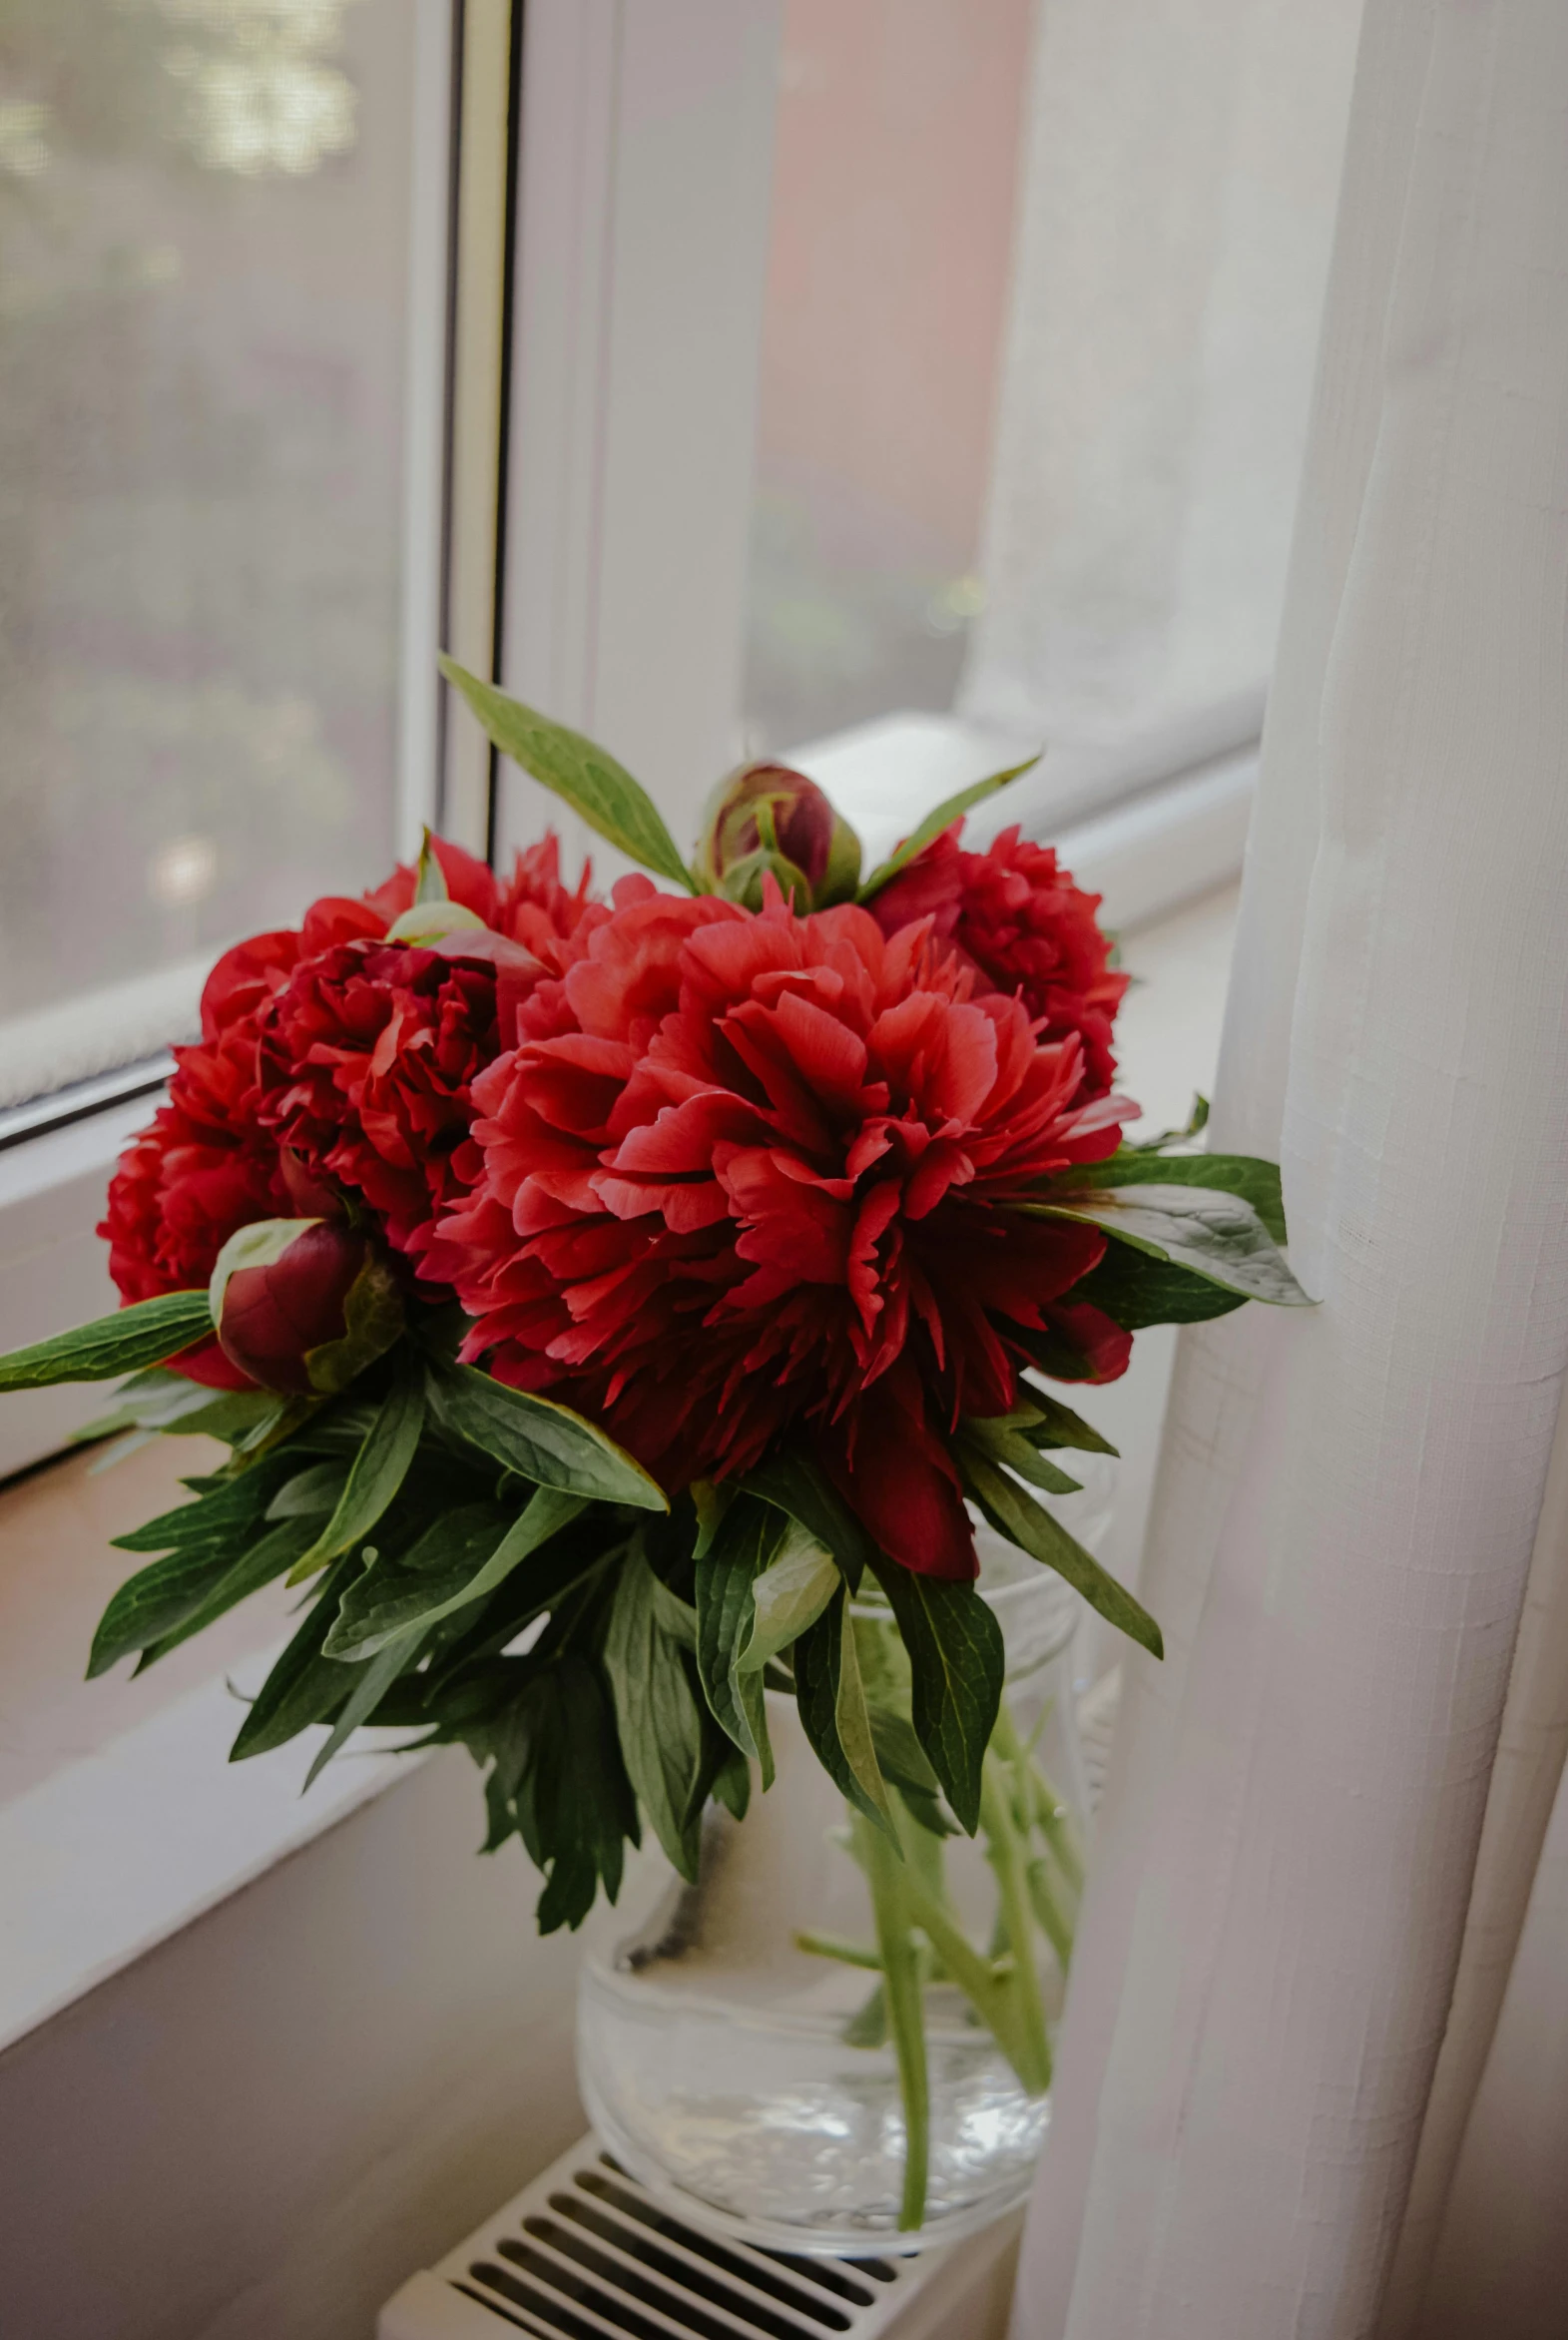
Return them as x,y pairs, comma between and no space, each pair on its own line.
624,1314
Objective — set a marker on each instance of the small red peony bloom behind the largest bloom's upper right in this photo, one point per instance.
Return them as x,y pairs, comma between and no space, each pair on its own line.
1026,930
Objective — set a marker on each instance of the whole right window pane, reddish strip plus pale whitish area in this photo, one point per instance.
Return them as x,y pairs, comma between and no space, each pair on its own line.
1038,355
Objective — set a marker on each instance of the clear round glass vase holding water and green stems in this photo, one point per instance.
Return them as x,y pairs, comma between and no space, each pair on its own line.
734,2037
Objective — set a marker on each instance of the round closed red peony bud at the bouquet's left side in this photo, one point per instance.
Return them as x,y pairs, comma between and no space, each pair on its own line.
303,1305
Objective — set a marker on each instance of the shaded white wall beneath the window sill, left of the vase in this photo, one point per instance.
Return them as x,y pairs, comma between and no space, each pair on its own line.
263,2126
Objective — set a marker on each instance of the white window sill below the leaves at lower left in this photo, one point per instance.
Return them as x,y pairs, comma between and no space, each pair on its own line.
121,1817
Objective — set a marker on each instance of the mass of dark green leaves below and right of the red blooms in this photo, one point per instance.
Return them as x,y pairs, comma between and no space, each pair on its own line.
490,1569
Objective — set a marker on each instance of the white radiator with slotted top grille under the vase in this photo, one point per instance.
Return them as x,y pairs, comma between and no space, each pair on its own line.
589,2255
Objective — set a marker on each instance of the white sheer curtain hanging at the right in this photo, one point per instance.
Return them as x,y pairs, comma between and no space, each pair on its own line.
1288,1934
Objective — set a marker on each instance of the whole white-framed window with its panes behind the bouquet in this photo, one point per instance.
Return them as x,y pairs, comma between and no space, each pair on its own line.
895,385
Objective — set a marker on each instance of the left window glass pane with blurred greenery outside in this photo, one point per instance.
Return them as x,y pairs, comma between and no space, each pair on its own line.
205,439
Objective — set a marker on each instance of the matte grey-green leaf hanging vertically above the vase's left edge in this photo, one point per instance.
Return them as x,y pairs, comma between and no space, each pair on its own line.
656,1714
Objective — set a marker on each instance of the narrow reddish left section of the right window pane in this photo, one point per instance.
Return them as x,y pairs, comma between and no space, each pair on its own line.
888,284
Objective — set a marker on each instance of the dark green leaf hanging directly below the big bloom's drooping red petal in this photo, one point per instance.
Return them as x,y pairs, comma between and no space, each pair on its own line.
956,1677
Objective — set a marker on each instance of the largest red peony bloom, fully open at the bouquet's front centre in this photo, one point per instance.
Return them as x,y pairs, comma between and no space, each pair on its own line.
748,1174
